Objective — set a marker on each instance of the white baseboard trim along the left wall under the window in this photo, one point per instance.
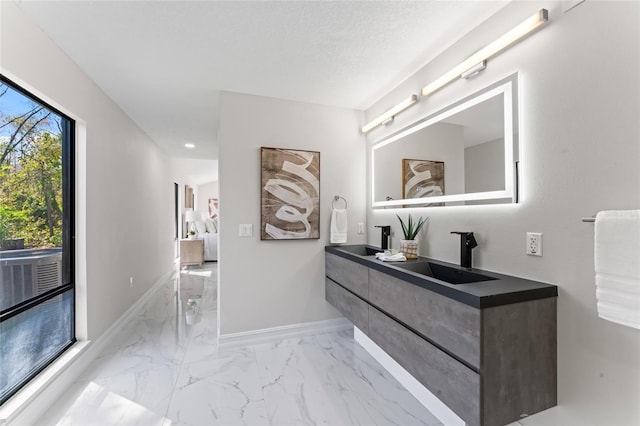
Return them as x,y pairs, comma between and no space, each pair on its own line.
28,405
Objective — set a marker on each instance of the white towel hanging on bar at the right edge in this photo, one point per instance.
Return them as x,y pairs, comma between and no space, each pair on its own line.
617,266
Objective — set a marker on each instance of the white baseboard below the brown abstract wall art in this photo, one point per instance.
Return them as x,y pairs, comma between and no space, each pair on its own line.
253,337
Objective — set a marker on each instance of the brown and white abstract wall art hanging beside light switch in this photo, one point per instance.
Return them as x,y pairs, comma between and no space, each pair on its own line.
290,194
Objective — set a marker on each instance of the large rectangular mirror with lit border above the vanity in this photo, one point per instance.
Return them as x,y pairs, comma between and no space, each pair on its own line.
464,154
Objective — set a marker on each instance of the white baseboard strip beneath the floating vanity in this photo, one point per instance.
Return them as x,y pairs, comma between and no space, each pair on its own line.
422,394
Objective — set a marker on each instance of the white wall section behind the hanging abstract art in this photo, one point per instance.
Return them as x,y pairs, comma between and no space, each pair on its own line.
264,284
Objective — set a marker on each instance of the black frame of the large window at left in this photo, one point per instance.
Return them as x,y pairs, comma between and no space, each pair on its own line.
68,236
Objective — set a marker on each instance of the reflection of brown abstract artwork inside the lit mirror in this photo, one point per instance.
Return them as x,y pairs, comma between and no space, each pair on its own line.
422,178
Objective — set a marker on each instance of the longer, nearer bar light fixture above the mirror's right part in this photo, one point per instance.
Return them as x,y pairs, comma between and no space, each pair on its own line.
472,65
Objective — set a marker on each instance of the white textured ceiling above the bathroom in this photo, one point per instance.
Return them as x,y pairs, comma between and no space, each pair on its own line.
165,62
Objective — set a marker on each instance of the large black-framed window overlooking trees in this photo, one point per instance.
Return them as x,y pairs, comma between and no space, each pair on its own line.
36,230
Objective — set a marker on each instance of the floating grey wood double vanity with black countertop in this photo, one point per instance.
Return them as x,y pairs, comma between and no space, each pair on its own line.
486,346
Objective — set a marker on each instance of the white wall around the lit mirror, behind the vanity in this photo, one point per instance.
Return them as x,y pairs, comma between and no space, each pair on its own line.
580,147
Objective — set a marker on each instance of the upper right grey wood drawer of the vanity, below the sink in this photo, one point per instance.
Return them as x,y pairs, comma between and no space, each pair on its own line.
448,323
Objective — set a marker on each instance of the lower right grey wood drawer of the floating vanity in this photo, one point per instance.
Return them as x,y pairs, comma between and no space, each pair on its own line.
451,381
